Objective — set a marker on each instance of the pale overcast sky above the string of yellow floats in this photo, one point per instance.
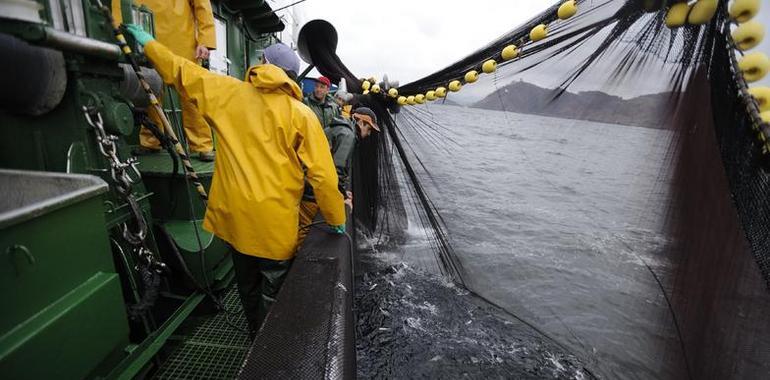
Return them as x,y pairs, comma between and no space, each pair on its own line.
408,39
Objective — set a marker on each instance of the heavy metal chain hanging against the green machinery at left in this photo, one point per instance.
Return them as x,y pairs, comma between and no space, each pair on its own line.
124,175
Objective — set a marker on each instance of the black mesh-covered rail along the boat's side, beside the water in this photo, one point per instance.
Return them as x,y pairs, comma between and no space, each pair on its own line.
309,331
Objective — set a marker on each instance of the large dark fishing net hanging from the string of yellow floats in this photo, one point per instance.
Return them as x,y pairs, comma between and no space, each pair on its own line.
652,208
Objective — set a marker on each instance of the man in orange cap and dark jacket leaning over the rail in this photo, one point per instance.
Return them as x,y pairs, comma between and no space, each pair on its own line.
343,135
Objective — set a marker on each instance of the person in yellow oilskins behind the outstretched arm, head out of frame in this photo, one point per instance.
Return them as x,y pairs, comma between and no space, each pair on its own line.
186,27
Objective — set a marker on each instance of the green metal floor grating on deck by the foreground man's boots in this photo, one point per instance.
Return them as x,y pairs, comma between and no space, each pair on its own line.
213,349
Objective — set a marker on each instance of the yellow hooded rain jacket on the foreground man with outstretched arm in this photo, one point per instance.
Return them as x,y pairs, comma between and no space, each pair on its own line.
265,135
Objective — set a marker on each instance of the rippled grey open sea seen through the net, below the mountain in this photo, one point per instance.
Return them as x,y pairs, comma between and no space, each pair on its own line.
554,220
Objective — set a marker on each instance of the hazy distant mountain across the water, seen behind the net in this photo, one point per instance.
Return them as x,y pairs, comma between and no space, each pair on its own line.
521,97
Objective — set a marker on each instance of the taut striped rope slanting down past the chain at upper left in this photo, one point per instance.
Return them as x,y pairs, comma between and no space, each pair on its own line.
155,104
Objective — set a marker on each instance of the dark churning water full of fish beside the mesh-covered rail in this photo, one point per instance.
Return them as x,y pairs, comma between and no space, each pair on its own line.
411,324
